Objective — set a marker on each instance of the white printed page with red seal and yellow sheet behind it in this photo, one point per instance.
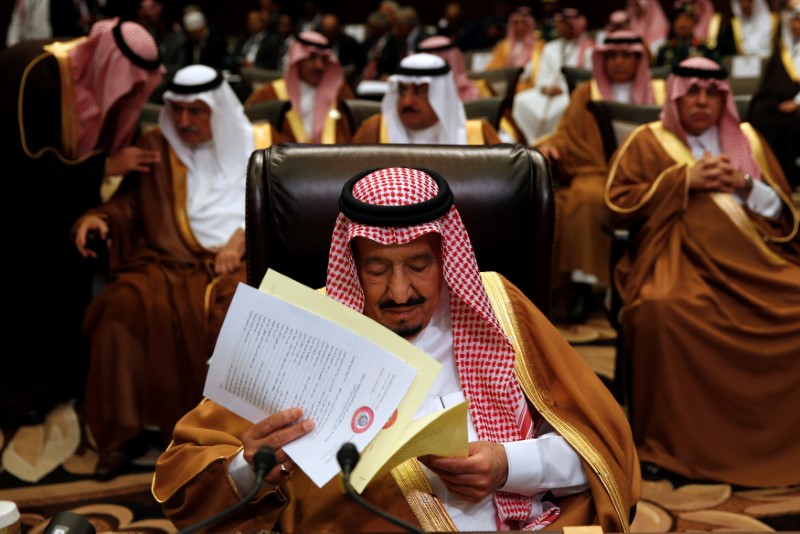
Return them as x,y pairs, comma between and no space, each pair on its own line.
273,354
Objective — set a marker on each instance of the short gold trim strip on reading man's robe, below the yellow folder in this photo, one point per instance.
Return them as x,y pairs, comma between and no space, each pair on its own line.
418,492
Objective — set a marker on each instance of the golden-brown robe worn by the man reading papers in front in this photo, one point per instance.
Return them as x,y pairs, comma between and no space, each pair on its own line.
192,482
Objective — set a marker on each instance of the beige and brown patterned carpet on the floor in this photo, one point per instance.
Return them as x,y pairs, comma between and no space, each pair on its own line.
47,468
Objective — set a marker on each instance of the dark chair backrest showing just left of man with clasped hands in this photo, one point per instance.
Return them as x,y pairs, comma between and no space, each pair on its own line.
617,120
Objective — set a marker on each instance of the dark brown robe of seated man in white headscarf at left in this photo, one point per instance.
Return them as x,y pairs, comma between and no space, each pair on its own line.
154,326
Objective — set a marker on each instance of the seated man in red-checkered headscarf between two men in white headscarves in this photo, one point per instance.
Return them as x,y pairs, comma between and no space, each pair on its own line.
314,83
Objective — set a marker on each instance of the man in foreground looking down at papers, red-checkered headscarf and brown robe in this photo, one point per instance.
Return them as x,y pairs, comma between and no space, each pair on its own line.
545,449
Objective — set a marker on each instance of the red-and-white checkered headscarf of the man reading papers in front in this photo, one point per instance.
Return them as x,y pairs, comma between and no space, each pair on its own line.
484,355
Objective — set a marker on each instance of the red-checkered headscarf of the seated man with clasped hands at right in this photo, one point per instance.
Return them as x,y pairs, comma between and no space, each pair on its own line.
732,140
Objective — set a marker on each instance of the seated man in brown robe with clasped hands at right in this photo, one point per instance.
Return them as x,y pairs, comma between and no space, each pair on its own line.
710,286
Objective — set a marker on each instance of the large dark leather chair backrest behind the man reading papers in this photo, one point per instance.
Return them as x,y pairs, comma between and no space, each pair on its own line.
504,194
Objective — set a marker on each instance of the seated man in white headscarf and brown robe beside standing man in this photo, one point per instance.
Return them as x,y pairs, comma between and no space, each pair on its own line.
176,258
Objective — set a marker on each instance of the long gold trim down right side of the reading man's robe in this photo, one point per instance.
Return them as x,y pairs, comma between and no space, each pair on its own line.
539,396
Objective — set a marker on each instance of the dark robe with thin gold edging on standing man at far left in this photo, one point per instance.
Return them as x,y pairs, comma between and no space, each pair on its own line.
44,175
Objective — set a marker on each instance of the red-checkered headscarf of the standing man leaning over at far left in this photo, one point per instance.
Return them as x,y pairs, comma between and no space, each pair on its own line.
103,75
